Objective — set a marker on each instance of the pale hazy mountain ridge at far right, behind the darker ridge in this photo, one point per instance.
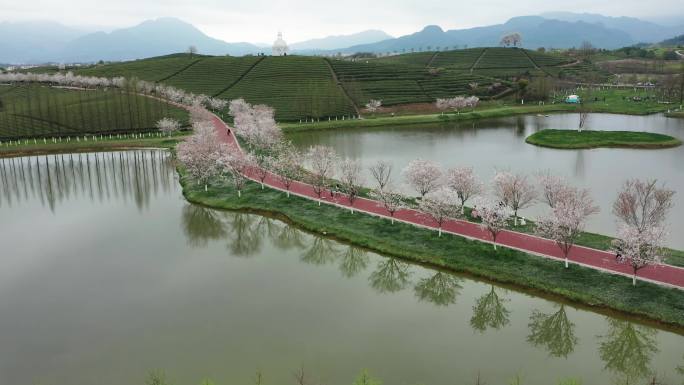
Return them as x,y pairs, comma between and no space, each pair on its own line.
639,30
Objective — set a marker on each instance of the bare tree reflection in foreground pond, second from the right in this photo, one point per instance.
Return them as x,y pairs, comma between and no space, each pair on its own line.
554,332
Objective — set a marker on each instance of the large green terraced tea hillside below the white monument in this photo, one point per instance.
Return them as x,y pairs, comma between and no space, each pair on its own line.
300,87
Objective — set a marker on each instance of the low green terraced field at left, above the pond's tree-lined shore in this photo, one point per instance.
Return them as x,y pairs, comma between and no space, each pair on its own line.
43,111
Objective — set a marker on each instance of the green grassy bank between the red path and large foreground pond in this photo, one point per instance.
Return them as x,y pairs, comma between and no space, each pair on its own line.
583,285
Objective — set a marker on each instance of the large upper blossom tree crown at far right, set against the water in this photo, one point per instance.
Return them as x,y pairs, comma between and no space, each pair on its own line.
642,204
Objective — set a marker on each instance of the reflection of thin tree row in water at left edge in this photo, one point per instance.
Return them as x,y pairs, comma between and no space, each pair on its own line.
54,179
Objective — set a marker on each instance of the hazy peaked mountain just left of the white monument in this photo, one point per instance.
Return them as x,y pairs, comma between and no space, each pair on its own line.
150,38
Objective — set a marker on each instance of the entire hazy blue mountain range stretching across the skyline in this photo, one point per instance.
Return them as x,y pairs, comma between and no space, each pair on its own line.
41,42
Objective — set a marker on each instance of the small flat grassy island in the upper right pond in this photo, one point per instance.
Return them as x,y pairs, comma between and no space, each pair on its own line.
572,139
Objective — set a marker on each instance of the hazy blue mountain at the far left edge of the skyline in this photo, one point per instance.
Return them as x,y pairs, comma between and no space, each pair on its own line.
33,42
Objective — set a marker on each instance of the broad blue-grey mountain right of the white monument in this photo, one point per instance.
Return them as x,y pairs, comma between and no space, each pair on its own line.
536,31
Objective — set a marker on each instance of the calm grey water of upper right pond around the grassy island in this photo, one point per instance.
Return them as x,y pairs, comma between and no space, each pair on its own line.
488,145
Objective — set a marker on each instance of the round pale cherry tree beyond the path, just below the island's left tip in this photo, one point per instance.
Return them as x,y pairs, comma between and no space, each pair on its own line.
515,191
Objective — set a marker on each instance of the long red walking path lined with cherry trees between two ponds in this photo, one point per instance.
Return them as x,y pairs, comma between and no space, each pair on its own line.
666,275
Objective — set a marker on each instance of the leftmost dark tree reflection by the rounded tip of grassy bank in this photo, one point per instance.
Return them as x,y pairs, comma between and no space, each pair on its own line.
202,225
